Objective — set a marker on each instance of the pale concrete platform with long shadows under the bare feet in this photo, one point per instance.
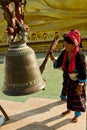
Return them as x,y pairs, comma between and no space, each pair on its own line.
39,114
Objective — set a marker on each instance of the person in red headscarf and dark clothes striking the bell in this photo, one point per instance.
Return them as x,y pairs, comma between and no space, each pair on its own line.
74,73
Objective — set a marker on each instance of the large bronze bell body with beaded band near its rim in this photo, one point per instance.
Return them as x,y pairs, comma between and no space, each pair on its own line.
22,75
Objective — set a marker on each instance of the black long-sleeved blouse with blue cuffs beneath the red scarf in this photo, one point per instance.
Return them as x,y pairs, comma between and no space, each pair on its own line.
80,71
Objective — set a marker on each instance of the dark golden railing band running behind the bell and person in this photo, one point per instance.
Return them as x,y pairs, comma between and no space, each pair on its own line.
43,46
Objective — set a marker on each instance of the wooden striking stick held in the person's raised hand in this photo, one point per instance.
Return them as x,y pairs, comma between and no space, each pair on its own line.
52,48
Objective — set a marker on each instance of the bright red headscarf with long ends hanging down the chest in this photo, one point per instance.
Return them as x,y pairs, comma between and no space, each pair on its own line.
75,38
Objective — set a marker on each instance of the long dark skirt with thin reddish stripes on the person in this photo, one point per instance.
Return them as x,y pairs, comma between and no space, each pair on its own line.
75,102
